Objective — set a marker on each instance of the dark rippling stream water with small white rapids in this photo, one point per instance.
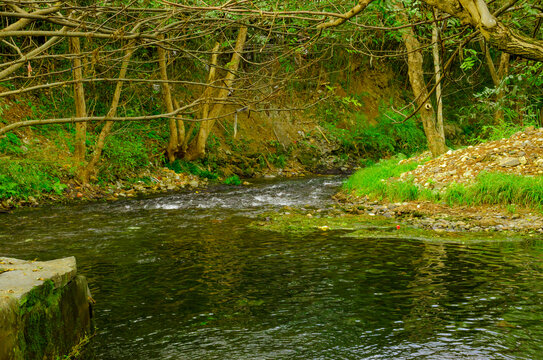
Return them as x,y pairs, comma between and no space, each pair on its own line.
181,276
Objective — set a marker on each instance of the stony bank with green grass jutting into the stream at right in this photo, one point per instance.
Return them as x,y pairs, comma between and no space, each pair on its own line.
494,186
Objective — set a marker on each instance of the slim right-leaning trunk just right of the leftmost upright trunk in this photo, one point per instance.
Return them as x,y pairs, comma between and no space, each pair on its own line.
91,166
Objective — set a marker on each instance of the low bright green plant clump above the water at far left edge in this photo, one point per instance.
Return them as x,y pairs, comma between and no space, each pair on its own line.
19,180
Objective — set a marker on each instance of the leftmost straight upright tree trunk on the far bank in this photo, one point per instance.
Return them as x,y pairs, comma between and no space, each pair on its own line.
80,106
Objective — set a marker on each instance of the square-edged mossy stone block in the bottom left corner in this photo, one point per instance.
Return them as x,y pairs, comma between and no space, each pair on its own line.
45,308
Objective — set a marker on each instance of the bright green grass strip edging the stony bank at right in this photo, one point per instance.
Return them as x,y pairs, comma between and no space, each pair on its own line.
380,182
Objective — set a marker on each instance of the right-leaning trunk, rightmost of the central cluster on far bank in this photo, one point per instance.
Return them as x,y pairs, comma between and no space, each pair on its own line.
197,147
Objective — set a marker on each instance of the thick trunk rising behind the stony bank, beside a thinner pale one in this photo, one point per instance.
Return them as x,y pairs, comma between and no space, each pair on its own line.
436,141
